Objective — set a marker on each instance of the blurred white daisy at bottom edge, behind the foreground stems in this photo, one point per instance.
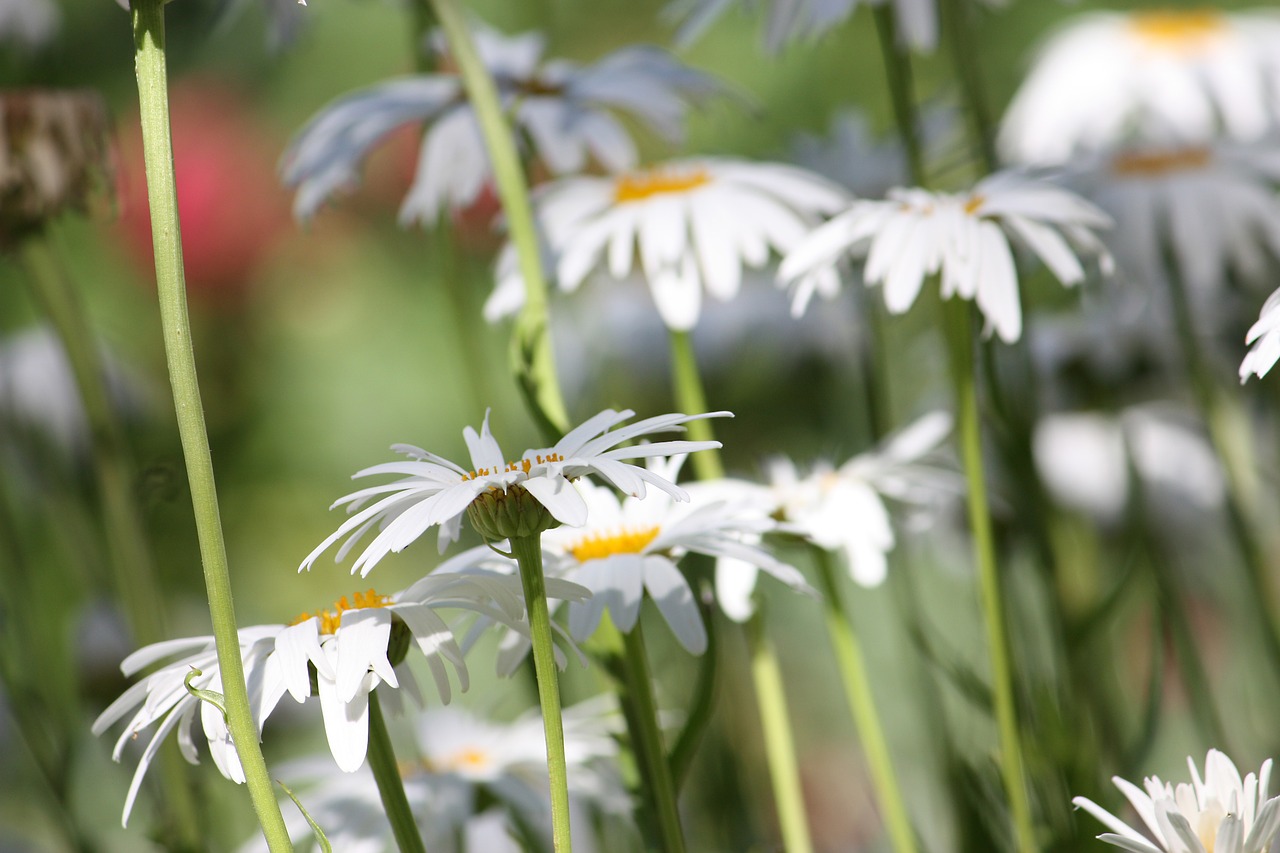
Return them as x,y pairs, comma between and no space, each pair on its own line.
470,774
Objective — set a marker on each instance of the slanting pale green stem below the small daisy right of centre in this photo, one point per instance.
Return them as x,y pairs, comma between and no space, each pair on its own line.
858,691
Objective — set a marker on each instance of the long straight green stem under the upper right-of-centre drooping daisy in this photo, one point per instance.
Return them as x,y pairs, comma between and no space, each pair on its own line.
961,341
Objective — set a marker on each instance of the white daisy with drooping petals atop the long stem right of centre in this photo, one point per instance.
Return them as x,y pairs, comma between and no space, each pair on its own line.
966,239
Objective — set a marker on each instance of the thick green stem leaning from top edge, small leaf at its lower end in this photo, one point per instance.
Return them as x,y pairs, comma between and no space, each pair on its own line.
532,345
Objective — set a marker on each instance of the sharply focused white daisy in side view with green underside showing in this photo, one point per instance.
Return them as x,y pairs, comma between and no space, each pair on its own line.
532,494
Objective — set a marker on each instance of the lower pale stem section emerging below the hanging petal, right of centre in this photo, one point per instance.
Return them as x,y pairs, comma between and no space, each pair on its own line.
779,746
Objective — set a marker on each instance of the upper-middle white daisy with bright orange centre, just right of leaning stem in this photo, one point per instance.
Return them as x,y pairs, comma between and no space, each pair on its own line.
685,226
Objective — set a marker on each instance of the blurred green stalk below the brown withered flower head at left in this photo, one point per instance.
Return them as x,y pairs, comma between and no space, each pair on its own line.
130,556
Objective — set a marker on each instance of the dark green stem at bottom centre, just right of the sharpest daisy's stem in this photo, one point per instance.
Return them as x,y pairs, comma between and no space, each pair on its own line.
651,754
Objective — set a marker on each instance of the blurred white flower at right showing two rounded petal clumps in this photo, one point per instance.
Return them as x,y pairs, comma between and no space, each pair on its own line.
1085,460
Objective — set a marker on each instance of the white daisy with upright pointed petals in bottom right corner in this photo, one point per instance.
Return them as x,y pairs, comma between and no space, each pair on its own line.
1219,814
